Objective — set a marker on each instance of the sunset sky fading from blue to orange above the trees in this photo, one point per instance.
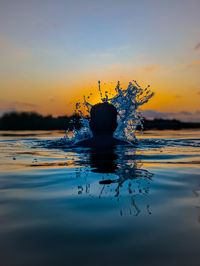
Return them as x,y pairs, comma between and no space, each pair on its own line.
54,51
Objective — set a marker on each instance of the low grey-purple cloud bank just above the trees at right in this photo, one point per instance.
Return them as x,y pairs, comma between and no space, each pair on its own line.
182,115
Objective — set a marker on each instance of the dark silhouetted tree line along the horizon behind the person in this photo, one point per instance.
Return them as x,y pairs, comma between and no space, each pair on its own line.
35,121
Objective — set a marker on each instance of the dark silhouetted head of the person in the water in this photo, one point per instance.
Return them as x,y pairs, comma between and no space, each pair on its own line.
103,119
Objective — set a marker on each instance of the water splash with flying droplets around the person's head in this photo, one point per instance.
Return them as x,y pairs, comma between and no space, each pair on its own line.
127,102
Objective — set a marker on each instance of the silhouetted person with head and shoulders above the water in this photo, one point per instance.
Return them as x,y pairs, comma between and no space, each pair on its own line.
103,123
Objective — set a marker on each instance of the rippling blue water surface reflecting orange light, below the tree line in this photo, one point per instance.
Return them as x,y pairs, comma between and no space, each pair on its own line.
134,206
